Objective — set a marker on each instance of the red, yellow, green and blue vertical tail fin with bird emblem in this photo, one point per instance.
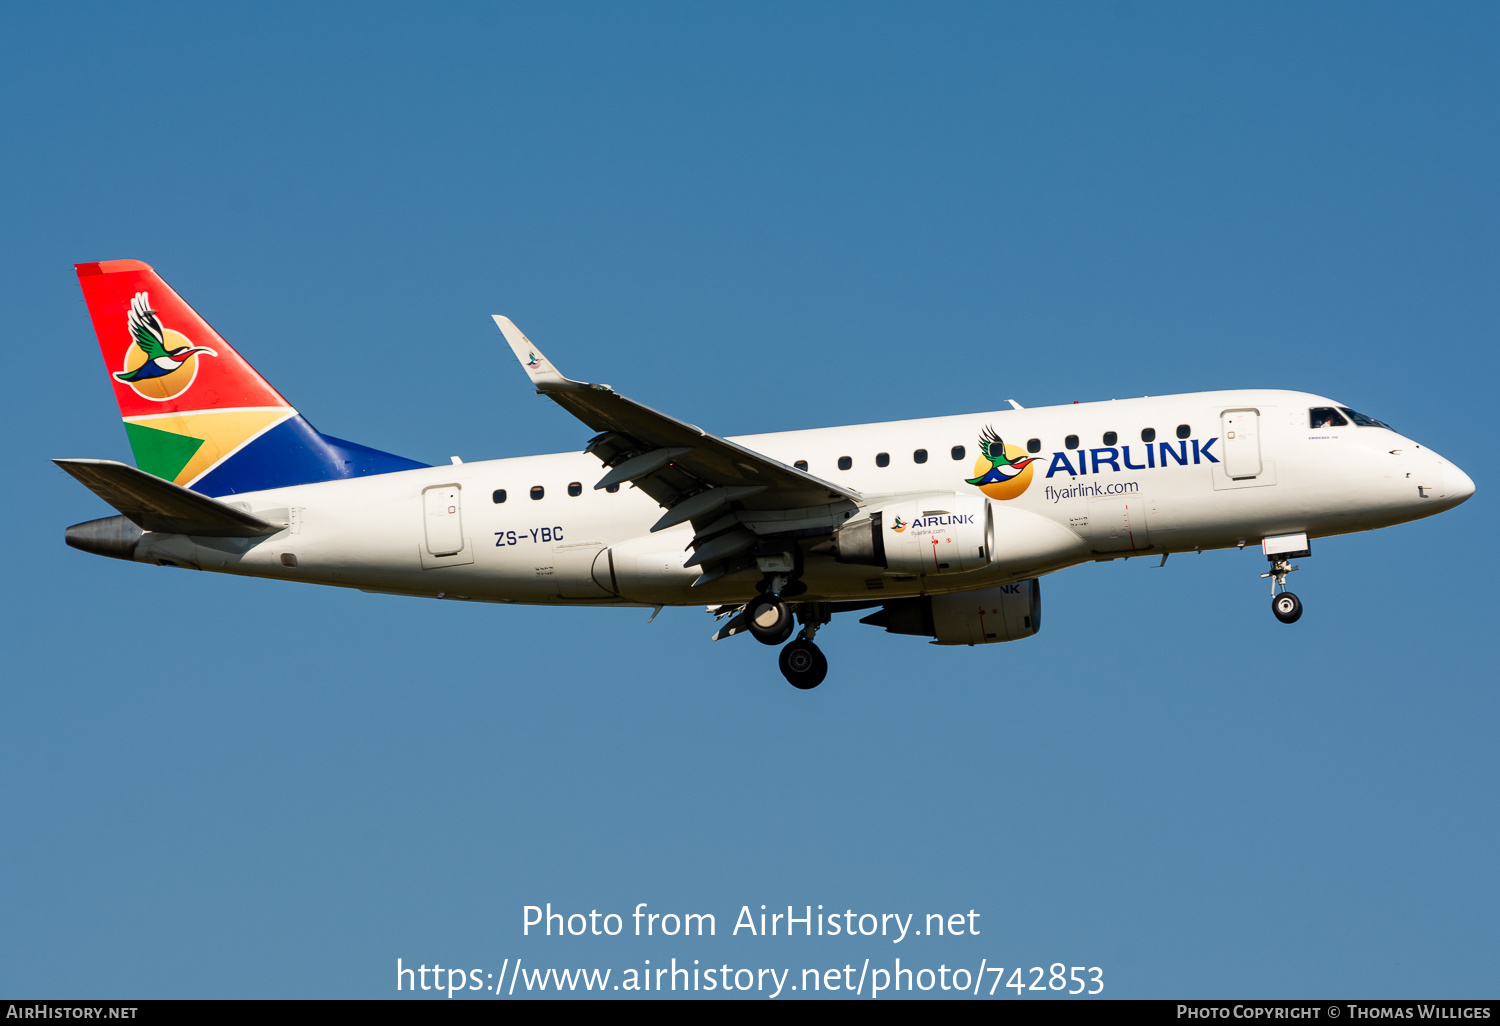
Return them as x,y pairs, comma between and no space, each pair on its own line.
197,415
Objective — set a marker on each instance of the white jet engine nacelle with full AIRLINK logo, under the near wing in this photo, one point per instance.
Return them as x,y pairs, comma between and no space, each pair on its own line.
925,535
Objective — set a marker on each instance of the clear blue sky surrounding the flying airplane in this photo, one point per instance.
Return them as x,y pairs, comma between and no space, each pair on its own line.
757,218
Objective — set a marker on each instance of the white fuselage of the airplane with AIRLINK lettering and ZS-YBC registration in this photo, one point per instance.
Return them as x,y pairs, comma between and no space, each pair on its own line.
395,532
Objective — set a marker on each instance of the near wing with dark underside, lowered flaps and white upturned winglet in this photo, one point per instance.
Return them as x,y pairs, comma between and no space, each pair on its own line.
737,499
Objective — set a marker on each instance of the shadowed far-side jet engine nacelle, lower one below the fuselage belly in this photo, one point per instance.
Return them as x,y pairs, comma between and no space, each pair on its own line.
967,617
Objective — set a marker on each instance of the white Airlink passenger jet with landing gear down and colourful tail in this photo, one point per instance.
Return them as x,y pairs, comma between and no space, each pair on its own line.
937,529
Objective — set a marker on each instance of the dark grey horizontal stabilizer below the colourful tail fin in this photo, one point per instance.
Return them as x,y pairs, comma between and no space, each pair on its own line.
161,506
